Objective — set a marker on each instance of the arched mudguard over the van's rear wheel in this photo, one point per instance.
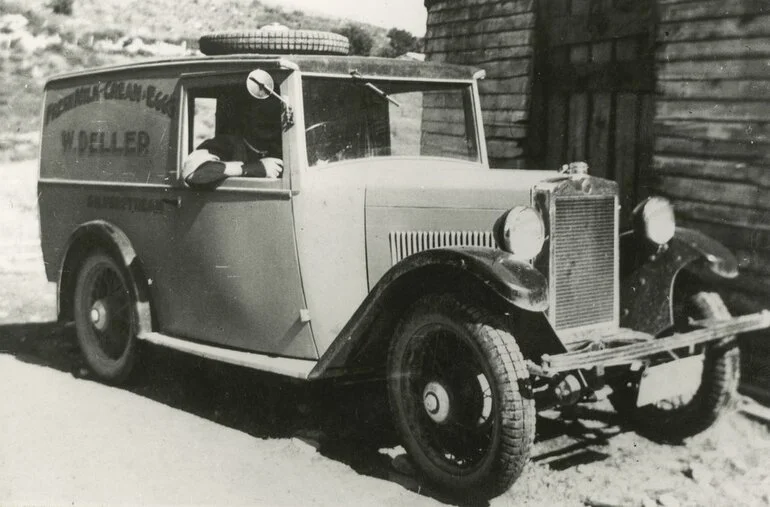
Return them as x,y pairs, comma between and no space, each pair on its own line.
104,235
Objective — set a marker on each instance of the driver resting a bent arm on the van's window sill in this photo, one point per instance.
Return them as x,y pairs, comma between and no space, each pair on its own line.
247,144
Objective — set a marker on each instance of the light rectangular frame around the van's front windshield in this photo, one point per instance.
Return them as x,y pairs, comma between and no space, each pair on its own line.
473,119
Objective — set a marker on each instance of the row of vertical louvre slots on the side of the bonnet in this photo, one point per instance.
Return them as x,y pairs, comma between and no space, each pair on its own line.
406,243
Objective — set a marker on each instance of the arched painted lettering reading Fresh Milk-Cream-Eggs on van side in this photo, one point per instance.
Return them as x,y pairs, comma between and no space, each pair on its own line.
151,96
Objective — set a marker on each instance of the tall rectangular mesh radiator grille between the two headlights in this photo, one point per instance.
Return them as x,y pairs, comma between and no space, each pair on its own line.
583,263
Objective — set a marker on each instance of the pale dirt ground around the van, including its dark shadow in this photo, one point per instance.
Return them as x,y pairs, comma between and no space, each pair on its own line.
190,431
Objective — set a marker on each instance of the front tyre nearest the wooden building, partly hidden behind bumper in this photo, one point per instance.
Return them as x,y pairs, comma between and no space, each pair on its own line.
677,419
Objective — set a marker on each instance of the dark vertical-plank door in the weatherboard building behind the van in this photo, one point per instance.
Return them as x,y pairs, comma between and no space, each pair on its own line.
593,94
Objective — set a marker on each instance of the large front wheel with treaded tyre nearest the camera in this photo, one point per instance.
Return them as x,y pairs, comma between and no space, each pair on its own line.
477,446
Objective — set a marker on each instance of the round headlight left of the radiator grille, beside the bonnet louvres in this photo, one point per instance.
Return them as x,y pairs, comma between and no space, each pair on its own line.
520,231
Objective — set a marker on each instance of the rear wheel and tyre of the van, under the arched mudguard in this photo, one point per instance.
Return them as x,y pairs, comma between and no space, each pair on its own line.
105,318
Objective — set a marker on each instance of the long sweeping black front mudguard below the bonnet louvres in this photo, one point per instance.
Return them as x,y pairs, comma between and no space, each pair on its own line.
515,281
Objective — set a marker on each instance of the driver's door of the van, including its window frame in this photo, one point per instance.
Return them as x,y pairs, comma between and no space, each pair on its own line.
231,275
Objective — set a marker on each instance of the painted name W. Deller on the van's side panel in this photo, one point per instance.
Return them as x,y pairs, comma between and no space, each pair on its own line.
130,142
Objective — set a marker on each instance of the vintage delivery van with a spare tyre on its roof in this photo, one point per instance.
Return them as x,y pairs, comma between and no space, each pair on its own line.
386,249
